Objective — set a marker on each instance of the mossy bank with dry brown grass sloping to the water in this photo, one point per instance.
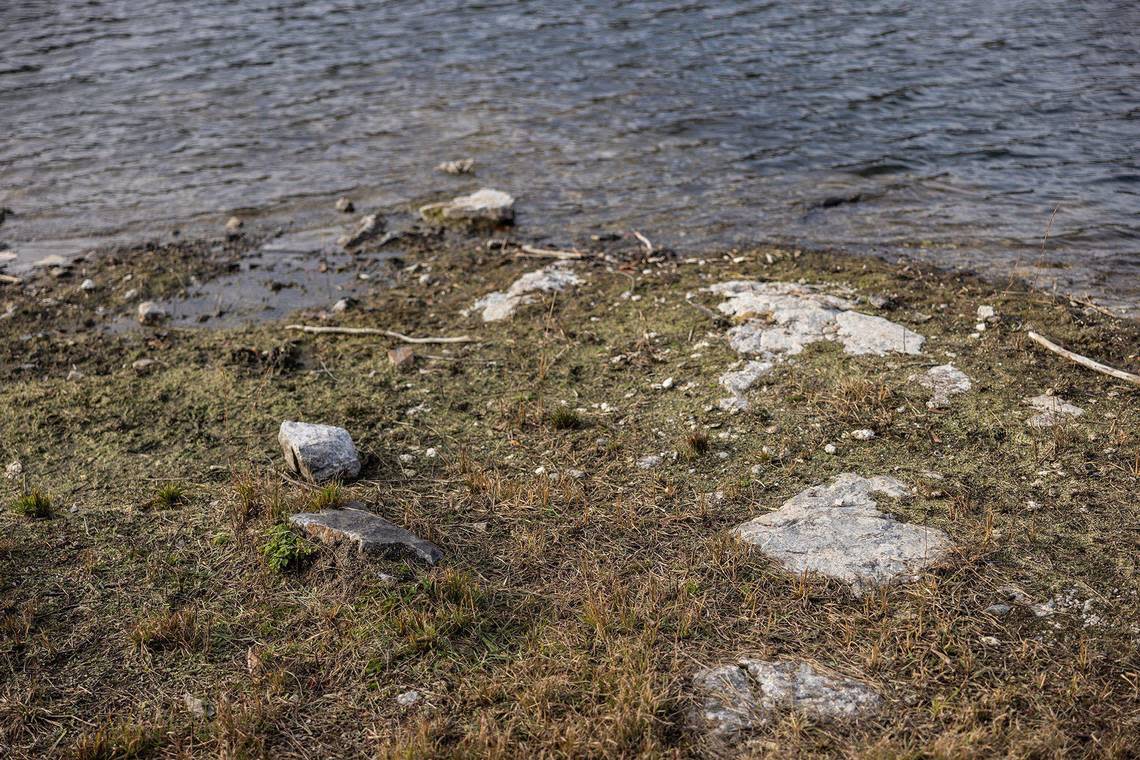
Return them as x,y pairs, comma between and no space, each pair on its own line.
142,619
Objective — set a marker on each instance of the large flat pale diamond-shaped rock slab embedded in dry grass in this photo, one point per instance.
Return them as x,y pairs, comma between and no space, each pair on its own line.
838,530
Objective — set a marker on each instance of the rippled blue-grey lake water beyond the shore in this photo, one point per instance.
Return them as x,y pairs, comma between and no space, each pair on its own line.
959,126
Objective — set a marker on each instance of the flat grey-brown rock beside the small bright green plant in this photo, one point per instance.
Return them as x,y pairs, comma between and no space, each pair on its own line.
369,533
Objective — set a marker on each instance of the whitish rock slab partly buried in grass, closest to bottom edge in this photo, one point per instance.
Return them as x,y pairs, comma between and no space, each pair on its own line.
752,693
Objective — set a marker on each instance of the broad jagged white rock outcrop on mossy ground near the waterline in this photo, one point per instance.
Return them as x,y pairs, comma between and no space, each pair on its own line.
783,318
